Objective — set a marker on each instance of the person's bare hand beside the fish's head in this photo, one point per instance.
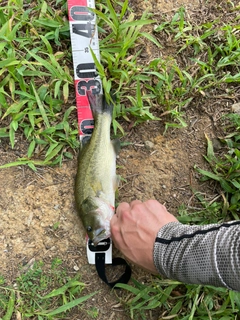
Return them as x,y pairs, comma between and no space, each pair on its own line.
134,228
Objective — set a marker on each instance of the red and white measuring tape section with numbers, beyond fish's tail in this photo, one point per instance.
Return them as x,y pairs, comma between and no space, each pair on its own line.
84,34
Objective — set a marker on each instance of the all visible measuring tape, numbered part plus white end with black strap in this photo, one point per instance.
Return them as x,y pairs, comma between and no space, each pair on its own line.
84,34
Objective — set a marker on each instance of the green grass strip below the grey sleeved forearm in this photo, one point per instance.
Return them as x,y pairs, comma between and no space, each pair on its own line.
173,300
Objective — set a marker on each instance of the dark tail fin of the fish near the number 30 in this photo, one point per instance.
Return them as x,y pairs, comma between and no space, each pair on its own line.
98,104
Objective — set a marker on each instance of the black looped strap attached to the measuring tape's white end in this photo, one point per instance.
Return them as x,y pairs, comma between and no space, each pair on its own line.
100,267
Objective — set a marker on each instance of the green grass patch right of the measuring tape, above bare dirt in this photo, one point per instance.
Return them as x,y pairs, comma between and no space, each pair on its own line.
165,84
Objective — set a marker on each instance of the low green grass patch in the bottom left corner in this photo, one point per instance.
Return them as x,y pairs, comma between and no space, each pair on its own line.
43,294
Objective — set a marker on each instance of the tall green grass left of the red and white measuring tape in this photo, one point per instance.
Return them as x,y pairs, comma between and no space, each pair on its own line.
36,80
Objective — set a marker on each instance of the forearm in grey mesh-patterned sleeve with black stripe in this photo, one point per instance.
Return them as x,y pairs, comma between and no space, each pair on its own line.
208,255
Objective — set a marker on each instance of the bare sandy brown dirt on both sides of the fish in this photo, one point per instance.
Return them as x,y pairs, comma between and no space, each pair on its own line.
31,204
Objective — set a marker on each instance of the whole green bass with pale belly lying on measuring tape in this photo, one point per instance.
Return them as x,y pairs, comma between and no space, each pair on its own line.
96,179
